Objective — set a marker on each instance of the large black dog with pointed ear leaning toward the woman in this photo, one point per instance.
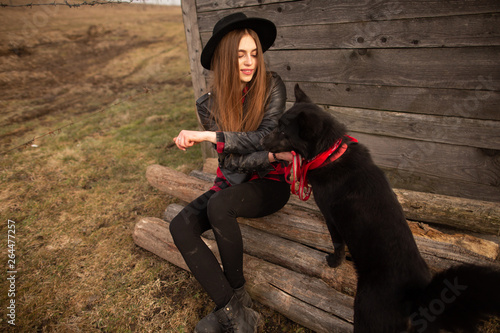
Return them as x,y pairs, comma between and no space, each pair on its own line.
395,291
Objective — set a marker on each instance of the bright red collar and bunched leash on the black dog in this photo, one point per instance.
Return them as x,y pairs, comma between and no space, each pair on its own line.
296,172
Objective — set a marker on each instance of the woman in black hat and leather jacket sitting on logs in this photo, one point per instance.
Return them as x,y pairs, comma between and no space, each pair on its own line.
244,105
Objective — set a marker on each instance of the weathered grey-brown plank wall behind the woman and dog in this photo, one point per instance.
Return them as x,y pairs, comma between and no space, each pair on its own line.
418,82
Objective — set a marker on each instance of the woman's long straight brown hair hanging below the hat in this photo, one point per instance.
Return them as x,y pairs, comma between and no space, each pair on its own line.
228,110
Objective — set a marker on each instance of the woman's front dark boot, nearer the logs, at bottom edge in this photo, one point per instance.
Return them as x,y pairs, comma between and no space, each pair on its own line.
235,318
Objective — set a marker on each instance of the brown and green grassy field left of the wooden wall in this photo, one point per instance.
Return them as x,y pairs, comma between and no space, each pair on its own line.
103,90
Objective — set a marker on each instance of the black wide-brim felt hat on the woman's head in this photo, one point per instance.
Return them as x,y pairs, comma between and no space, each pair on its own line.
265,29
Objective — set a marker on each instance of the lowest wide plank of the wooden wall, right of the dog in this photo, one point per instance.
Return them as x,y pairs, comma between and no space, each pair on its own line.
437,168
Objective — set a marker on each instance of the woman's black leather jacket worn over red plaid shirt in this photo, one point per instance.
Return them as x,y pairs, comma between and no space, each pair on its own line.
243,154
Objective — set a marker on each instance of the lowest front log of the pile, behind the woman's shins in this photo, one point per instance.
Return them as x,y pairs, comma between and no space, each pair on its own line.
295,295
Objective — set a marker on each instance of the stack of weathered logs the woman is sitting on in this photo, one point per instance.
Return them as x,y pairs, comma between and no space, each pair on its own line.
284,261
